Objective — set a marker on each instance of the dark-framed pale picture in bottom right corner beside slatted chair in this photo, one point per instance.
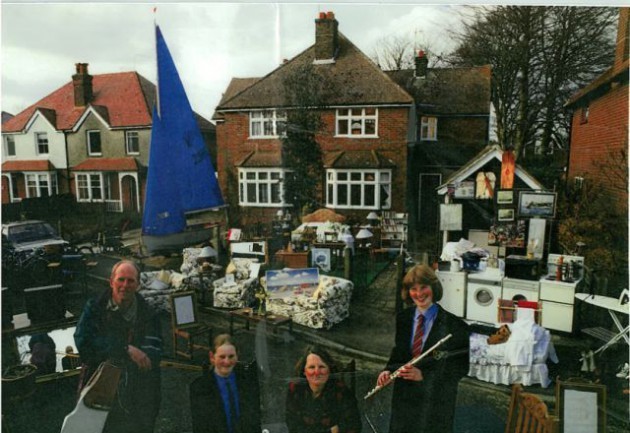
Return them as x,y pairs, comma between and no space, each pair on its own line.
581,407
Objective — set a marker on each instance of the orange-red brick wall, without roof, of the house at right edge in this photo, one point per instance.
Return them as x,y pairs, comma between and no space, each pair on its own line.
605,132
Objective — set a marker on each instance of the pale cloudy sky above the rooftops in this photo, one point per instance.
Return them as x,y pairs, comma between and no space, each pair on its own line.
211,43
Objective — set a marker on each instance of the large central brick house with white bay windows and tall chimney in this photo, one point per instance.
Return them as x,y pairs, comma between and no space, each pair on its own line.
366,127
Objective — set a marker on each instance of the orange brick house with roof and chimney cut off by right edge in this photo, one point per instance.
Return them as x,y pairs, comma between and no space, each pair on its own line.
599,126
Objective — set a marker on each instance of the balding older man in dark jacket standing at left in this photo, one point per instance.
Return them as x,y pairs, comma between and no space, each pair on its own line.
119,326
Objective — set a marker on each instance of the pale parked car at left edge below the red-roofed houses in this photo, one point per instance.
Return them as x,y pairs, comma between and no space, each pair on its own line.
32,235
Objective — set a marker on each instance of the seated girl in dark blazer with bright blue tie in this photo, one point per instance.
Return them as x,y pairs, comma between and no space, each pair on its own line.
213,396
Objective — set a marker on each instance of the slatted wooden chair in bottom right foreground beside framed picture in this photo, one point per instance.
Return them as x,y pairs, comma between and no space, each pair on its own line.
529,414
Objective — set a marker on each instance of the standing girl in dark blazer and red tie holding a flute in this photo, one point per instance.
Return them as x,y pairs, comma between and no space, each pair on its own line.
424,394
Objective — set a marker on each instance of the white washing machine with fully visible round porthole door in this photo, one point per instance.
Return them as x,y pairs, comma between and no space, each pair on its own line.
483,294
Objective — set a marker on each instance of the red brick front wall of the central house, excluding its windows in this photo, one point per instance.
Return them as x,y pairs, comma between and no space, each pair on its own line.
233,145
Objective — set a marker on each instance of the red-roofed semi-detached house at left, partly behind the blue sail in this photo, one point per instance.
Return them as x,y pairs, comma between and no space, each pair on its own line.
90,138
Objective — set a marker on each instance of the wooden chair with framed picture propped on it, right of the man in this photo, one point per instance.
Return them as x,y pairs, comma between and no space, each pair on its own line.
186,325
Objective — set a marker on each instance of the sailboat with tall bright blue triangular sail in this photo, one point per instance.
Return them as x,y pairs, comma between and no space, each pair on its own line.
181,178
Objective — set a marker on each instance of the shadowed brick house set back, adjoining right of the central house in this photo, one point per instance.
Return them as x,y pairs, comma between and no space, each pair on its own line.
453,122
